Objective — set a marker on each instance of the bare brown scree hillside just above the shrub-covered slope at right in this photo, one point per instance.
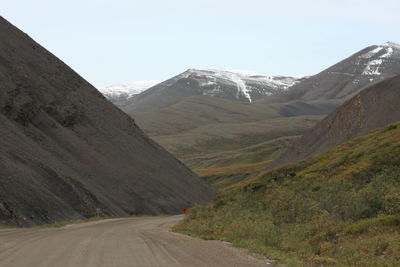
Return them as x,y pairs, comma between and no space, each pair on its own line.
372,108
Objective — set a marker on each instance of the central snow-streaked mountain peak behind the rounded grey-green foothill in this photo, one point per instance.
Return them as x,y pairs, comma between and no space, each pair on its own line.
237,86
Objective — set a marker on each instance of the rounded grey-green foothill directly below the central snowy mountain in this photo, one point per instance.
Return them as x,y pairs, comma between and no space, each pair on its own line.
192,112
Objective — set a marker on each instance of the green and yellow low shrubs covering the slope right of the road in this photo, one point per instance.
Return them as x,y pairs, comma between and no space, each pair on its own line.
341,208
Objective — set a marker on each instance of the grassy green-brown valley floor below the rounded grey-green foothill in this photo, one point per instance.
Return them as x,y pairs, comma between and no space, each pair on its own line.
225,149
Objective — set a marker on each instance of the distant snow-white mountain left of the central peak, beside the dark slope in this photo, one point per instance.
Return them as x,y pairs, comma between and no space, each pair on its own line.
125,91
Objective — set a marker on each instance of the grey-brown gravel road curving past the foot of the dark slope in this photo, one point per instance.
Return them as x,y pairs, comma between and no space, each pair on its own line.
143,241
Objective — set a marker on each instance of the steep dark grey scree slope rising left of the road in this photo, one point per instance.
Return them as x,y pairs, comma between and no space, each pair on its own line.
68,153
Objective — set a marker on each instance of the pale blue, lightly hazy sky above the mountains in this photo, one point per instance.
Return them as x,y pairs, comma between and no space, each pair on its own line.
114,41
